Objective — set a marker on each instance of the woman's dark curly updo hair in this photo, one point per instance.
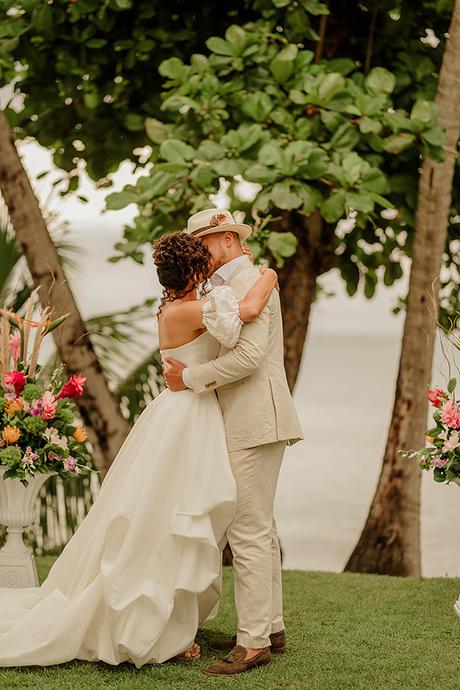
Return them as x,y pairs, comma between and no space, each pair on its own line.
182,263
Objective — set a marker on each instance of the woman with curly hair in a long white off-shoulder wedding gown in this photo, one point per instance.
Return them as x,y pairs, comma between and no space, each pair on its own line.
141,573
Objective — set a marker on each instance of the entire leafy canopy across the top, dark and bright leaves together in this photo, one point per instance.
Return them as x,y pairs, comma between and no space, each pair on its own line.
237,90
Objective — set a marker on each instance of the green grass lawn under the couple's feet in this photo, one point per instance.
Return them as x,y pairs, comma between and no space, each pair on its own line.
346,631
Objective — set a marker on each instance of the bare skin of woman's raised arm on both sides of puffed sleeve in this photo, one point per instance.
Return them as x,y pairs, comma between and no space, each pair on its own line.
250,306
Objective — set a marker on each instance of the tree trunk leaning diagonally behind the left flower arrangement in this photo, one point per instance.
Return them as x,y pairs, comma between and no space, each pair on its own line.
98,408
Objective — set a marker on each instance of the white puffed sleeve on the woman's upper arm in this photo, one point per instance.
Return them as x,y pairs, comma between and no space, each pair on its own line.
221,315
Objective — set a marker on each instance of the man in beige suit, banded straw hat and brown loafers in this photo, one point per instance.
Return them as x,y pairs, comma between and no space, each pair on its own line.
260,420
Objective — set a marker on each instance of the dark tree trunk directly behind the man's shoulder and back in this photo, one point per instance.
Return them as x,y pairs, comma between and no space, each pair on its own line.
297,280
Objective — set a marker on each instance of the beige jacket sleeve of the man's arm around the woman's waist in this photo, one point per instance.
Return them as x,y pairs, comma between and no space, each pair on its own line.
238,363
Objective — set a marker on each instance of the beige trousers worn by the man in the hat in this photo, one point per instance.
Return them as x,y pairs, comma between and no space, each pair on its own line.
254,542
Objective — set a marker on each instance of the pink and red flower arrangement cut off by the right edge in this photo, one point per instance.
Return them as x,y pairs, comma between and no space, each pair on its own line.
442,452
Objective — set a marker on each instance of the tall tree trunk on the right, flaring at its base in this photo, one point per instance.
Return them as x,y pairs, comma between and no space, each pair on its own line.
390,541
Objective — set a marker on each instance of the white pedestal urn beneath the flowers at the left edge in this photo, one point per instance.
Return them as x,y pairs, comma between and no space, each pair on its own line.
17,510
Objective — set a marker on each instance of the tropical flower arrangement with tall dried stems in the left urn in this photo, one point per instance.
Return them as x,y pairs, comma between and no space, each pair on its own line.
38,428
